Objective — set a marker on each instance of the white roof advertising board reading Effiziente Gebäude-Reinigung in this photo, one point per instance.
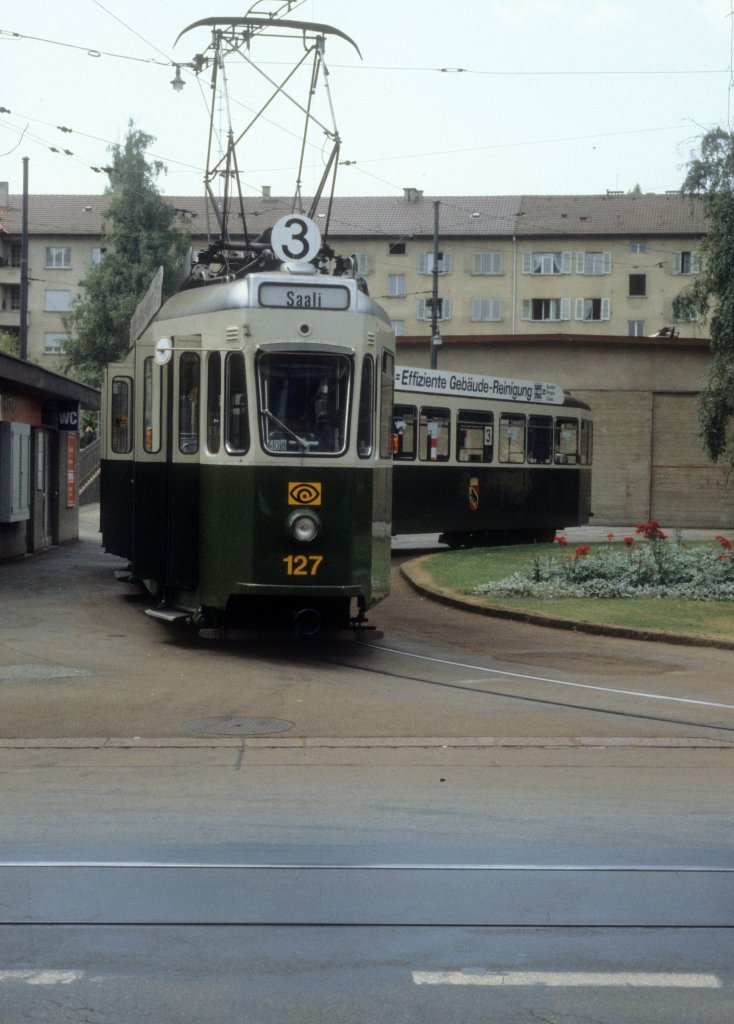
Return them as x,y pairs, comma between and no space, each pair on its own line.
478,387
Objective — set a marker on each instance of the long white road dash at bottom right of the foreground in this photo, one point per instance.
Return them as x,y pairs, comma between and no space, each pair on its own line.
568,979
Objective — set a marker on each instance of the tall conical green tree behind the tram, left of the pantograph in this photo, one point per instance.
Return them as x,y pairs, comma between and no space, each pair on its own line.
140,236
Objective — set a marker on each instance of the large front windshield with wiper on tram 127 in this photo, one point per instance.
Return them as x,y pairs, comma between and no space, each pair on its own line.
304,403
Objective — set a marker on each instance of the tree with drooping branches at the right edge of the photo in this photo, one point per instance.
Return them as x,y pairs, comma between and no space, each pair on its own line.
711,178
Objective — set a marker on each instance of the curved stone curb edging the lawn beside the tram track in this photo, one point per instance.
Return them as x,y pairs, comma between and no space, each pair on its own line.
415,574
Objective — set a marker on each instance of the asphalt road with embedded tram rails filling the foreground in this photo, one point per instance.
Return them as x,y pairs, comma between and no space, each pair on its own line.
466,820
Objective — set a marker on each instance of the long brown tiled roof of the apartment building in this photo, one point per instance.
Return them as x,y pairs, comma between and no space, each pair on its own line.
401,218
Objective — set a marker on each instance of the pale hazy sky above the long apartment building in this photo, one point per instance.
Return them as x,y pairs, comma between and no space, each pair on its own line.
536,97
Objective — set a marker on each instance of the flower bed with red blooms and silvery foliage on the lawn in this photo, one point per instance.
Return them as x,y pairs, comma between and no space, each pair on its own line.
651,566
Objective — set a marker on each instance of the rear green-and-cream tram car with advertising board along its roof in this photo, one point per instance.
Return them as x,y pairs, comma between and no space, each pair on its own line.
489,461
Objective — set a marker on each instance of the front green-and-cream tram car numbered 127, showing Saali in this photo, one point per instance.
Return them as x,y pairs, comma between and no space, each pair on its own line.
247,470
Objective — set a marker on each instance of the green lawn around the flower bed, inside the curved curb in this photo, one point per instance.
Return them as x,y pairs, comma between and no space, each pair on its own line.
460,572
